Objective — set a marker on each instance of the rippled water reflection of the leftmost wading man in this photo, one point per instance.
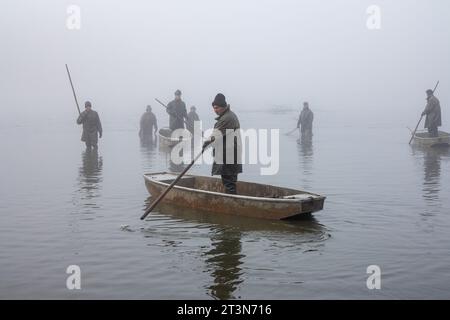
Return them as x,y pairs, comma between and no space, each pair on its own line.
89,179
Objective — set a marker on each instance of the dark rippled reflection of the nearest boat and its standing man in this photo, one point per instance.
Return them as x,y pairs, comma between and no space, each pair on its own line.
224,257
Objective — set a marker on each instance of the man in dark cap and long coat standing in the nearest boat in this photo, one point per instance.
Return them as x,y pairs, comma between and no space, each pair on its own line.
226,127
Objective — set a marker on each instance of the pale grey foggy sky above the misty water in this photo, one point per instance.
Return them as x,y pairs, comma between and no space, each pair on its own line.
260,54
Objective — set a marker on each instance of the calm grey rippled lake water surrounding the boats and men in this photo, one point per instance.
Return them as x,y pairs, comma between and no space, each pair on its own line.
387,204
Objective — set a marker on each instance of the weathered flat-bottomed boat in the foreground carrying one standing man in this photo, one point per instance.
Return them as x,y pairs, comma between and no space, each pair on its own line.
253,199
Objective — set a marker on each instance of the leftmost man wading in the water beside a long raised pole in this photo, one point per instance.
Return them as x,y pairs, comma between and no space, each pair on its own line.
92,127
